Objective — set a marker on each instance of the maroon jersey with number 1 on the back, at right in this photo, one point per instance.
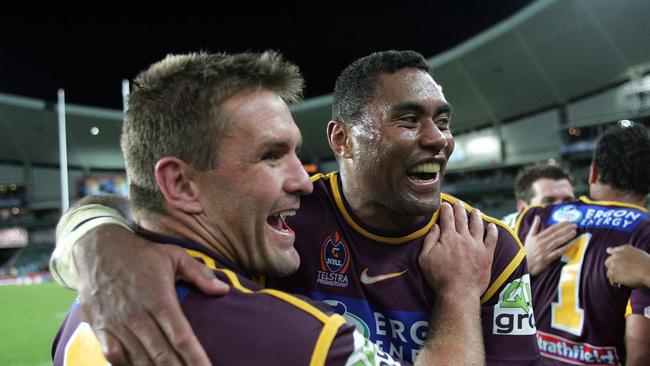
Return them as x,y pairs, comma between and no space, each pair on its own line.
580,316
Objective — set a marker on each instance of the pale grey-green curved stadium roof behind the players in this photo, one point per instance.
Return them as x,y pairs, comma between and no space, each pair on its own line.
548,54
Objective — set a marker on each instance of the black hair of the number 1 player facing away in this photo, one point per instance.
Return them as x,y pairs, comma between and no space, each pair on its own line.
622,158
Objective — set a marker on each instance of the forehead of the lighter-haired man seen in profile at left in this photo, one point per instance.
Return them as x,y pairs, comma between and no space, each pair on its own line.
259,116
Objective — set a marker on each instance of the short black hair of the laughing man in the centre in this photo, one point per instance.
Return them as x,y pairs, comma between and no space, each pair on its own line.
355,87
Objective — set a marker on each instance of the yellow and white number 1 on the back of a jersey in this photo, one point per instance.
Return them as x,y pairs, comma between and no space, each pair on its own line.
566,313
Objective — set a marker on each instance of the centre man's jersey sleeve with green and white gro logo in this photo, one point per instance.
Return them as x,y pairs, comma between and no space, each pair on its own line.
506,306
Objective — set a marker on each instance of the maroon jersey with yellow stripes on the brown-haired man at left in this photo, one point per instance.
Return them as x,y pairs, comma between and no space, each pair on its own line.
248,326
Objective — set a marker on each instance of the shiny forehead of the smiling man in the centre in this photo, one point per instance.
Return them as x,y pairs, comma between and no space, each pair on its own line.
408,86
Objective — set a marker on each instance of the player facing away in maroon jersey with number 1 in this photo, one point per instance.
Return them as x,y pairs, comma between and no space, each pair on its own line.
581,318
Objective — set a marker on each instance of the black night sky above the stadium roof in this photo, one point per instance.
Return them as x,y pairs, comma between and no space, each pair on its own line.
89,54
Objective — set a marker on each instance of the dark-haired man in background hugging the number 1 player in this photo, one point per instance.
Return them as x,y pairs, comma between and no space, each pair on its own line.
543,184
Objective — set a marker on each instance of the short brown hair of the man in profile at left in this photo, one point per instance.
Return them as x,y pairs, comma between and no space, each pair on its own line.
174,110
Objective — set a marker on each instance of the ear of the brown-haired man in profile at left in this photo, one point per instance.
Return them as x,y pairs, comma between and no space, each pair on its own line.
175,181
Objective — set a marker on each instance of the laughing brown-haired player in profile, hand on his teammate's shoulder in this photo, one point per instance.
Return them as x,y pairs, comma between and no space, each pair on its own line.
225,200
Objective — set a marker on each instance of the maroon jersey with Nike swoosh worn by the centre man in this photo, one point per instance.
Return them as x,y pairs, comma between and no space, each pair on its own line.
372,278
